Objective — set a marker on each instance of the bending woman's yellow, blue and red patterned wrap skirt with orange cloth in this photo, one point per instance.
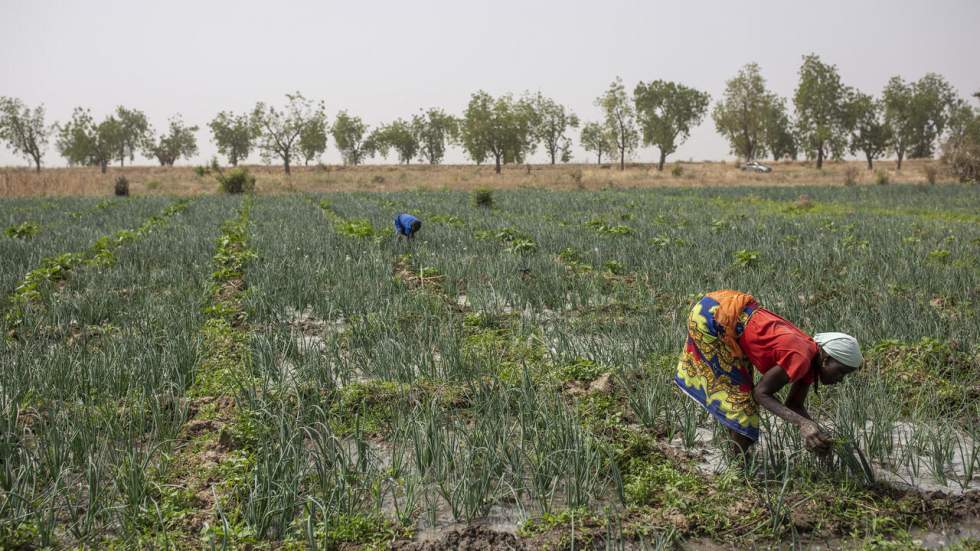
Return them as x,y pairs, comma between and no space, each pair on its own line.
712,369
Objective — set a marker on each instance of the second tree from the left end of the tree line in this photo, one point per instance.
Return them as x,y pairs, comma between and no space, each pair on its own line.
83,142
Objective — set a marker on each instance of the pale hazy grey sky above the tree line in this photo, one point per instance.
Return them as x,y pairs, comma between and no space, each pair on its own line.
386,59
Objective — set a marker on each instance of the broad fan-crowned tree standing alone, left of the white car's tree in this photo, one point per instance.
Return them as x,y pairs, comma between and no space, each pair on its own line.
667,112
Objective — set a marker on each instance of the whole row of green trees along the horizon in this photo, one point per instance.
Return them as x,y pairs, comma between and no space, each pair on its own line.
828,119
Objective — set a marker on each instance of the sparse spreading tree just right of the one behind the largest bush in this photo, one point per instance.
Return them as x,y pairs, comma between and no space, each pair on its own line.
280,130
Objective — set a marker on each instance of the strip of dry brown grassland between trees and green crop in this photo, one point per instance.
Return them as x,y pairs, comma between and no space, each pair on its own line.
22,182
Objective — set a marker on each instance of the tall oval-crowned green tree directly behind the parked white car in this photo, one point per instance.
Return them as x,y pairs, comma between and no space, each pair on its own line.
741,114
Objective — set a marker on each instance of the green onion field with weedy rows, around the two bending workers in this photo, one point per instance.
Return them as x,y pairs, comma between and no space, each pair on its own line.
279,372
